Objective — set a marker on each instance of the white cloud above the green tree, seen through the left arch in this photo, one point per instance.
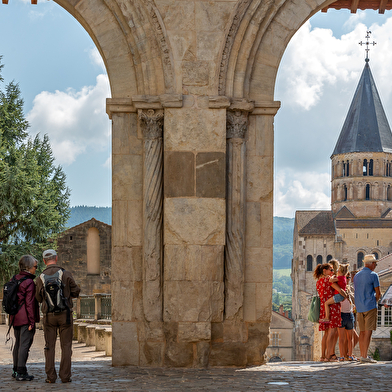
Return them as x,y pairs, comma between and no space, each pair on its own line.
75,121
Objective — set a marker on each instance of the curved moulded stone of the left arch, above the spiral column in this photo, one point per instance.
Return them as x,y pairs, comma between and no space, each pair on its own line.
139,66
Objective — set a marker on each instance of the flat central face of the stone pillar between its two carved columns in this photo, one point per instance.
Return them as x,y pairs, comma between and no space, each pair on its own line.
194,228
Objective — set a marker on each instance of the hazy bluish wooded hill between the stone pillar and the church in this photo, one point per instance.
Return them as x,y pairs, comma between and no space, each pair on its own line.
283,242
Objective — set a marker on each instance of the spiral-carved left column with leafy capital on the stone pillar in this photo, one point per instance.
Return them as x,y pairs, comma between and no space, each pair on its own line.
151,122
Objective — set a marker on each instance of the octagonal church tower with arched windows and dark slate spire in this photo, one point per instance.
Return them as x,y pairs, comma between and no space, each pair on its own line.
362,159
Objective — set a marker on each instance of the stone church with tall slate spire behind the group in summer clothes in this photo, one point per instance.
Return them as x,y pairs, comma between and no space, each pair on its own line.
360,219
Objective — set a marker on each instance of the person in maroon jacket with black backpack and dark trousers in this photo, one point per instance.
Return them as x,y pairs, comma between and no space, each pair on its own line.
20,303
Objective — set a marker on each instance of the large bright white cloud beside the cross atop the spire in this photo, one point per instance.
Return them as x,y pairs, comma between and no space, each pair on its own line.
315,58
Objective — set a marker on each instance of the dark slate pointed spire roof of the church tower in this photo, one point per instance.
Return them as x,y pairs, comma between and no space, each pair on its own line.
366,127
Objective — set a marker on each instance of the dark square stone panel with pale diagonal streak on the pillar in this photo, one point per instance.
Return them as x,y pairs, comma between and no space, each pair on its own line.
210,174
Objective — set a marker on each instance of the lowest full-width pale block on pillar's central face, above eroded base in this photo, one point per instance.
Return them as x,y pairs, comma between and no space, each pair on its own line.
193,301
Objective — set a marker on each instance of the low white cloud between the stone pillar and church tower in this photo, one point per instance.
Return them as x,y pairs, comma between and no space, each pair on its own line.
301,190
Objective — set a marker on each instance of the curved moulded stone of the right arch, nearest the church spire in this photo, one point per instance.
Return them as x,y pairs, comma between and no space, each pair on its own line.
249,60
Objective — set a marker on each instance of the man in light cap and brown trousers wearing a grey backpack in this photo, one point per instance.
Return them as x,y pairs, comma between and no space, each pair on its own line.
55,289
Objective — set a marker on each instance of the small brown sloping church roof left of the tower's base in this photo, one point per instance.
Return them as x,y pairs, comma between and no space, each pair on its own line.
315,222
